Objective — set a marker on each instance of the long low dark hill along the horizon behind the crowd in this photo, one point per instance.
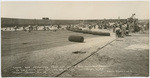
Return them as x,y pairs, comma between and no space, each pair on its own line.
9,22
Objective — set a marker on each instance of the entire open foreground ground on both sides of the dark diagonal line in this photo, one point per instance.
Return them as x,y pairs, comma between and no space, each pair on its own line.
45,52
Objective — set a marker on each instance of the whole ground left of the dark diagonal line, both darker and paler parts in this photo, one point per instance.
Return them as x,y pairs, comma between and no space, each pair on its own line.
43,48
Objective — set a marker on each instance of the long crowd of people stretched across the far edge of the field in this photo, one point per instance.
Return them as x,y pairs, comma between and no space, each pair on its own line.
120,28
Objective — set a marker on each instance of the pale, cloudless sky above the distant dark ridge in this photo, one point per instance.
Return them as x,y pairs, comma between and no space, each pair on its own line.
75,9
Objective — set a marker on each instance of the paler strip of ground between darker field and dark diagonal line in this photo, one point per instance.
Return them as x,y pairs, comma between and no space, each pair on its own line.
50,62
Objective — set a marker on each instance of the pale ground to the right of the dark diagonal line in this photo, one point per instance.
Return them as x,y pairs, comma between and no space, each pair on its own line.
125,57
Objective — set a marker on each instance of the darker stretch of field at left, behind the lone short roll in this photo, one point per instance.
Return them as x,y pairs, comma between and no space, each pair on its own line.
20,41
